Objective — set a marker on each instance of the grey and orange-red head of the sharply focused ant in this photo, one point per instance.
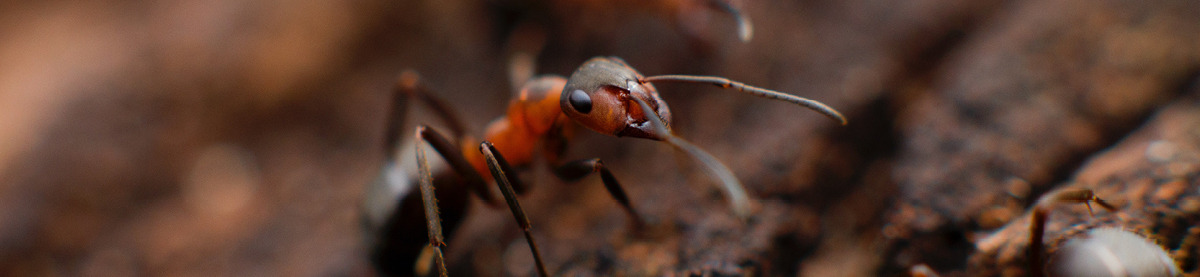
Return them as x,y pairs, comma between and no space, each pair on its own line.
602,95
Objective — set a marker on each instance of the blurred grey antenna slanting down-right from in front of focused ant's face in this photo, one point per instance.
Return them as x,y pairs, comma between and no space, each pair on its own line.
737,195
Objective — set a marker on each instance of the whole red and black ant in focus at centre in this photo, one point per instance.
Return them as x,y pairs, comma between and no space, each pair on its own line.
605,95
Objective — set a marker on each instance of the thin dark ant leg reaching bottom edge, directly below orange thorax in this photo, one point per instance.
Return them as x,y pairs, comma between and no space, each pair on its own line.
499,166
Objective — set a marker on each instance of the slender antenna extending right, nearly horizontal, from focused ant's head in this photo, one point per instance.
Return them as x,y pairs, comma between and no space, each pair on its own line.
725,83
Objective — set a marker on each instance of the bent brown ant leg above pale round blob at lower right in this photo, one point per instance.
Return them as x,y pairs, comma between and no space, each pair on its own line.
1042,213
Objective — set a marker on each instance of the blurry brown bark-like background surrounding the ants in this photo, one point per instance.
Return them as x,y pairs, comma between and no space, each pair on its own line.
238,137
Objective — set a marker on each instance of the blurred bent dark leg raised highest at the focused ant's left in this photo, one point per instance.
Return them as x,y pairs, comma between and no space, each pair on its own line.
411,86
